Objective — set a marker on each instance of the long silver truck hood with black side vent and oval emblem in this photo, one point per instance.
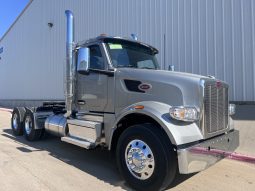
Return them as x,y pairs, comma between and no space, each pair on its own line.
173,88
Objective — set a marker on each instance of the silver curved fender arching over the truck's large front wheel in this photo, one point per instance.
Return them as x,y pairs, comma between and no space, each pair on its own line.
178,132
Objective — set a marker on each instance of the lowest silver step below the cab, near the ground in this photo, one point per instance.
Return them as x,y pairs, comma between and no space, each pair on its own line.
78,142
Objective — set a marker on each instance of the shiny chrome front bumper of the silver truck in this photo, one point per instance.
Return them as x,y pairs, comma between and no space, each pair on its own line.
201,156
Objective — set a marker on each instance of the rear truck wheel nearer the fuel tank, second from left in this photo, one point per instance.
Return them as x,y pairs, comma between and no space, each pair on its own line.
31,134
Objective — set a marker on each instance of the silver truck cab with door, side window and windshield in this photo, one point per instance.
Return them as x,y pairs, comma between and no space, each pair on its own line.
108,58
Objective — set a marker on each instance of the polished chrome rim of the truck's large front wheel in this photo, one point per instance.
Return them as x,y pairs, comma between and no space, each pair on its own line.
139,159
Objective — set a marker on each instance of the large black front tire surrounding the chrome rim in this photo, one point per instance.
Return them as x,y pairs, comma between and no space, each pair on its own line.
165,158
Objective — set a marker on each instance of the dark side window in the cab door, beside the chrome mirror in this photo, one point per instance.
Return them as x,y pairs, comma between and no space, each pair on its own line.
96,58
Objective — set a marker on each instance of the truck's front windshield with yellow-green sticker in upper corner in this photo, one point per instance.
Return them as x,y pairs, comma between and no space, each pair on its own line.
126,54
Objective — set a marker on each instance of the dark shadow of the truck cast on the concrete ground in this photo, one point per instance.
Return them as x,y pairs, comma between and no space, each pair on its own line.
99,162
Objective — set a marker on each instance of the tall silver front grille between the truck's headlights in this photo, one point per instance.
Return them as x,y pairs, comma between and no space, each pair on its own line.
216,106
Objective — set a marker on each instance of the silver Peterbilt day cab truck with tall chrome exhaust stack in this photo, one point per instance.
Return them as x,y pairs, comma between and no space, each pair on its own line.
157,122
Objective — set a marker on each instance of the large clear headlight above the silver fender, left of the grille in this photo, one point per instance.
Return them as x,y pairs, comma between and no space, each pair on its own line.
184,113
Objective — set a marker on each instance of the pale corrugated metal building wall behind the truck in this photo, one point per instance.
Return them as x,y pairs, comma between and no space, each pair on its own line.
208,37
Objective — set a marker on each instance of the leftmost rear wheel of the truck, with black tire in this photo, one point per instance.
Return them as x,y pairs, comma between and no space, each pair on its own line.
17,121
